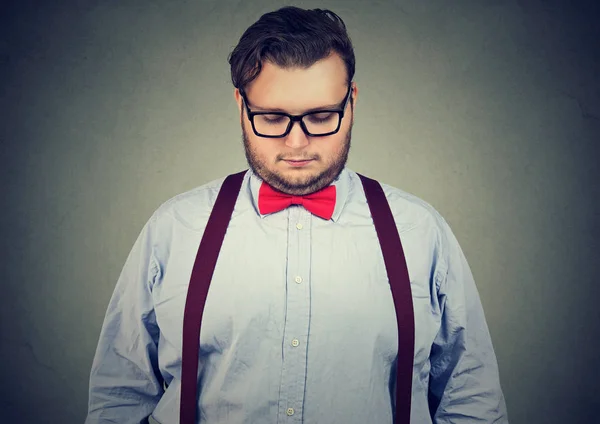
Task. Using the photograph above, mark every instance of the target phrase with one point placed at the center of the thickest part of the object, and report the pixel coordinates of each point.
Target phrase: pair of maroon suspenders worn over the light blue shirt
(204, 266)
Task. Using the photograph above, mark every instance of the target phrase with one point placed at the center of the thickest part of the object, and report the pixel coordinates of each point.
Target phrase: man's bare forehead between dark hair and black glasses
(299, 89)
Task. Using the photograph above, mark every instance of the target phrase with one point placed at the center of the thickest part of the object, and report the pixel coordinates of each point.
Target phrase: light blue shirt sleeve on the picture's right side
(464, 380)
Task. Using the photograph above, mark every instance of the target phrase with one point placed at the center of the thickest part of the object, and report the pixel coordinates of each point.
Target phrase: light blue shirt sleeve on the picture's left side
(125, 382)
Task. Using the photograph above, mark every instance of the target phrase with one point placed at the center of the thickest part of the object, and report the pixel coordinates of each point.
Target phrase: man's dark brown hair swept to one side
(290, 37)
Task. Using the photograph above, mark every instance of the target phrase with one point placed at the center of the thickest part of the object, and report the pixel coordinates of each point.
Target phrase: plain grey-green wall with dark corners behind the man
(489, 110)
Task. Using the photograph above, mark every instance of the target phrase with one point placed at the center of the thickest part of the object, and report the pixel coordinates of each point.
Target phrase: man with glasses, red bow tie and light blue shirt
(299, 325)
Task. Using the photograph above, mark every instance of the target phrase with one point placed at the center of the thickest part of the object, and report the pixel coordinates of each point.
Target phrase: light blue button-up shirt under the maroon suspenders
(299, 324)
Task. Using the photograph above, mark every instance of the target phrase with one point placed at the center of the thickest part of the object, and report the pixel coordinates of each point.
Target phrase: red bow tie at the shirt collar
(320, 203)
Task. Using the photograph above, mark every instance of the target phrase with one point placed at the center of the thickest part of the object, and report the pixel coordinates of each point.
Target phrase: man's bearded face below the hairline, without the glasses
(298, 164)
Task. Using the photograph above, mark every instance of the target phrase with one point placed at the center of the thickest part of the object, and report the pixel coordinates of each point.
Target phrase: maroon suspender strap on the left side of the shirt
(202, 273)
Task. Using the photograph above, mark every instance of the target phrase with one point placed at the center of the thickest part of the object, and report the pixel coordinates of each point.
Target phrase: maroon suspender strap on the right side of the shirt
(395, 264)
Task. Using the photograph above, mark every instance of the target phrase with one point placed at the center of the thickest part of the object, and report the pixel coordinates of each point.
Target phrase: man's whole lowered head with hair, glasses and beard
(295, 61)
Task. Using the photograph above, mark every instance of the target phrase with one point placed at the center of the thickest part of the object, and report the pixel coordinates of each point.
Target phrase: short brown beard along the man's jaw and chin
(312, 184)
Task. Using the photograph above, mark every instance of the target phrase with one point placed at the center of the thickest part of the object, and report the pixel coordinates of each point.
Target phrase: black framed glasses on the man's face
(316, 123)
